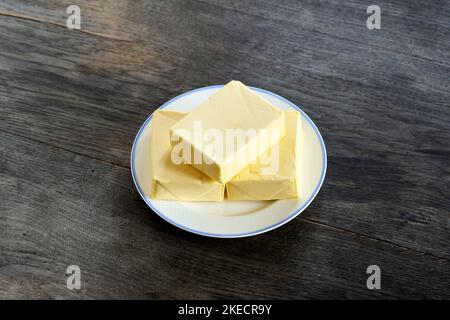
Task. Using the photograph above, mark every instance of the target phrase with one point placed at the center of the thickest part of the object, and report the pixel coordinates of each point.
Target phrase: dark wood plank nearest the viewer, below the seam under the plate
(48, 222)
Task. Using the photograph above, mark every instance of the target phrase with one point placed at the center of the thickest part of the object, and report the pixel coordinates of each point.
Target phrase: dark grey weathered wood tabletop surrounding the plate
(72, 101)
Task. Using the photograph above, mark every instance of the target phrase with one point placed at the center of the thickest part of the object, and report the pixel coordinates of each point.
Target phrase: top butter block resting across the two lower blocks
(234, 109)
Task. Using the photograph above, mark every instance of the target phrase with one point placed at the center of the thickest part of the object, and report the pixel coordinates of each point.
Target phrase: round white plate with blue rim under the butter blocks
(232, 219)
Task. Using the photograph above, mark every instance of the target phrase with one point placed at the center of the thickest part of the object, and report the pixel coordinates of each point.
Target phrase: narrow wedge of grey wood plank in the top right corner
(408, 27)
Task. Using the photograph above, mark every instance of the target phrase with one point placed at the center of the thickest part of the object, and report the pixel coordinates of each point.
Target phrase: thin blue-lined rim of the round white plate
(291, 216)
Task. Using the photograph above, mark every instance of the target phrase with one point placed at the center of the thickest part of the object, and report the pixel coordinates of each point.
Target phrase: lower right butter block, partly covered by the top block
(267, 181)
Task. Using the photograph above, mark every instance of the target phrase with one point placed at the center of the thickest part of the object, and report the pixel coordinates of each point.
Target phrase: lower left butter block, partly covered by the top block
(170, 181)
